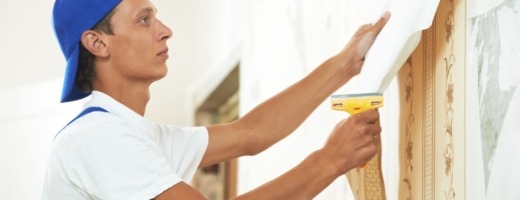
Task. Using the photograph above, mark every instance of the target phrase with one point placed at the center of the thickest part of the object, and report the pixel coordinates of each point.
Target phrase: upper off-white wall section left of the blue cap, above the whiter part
(29, 52)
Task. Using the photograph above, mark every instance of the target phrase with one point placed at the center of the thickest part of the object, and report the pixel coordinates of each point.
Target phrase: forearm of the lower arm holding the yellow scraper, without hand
(305, 181)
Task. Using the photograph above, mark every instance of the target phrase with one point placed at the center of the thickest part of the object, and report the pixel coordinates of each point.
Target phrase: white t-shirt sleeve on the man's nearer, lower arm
(114, 161)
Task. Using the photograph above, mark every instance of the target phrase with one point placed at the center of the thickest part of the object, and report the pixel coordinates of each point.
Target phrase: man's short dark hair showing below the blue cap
(86, 70)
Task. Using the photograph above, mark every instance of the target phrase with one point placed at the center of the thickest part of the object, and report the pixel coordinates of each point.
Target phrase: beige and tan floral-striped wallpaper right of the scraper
(432, 138)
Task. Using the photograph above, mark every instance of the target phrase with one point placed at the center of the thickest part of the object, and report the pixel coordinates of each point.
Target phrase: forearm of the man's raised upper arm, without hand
(279, 116)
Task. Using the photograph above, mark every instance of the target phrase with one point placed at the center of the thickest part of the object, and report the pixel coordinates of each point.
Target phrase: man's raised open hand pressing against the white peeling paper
(353, 55)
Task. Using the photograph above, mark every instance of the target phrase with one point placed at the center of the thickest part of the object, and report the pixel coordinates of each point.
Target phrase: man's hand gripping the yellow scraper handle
(353, 141)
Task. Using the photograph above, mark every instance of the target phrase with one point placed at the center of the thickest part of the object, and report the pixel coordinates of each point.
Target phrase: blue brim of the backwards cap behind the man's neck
(70, 92)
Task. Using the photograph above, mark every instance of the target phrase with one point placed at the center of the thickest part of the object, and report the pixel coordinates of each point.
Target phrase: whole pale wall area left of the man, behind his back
(31, 65)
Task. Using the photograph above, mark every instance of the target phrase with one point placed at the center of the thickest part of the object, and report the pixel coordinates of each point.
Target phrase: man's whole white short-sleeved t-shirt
(120, 155)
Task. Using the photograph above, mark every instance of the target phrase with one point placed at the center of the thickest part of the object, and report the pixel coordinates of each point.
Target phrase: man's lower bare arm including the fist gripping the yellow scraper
(350, 144)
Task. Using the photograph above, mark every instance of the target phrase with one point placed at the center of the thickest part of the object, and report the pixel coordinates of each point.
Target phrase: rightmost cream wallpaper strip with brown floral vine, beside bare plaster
(449, 100)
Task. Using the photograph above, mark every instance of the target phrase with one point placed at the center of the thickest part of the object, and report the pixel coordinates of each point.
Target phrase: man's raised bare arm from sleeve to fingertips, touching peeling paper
(279, 116)
